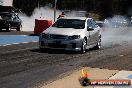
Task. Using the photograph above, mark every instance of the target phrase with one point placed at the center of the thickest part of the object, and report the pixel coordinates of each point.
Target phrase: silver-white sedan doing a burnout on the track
(71, 33)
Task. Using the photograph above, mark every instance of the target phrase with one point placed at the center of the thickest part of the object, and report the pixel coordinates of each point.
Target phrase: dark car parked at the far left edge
(10, 20)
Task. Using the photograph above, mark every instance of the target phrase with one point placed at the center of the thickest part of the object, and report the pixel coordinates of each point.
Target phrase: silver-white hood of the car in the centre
(63, 31)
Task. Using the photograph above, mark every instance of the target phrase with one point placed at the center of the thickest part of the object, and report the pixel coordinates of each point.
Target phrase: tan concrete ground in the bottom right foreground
(71, 81)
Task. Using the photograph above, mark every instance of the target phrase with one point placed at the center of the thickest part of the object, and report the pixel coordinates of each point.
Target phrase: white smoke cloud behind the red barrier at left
(43, 13)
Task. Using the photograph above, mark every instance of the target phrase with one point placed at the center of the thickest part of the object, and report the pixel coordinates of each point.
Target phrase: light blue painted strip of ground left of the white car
(6, 40)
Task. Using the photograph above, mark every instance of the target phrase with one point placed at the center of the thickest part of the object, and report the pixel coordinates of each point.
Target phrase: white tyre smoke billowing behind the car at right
(116, 31)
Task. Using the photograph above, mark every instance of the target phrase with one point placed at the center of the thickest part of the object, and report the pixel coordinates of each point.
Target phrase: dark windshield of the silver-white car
(69, 23)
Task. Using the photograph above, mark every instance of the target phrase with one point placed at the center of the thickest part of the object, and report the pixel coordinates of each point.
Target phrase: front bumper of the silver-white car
(66, 44)
